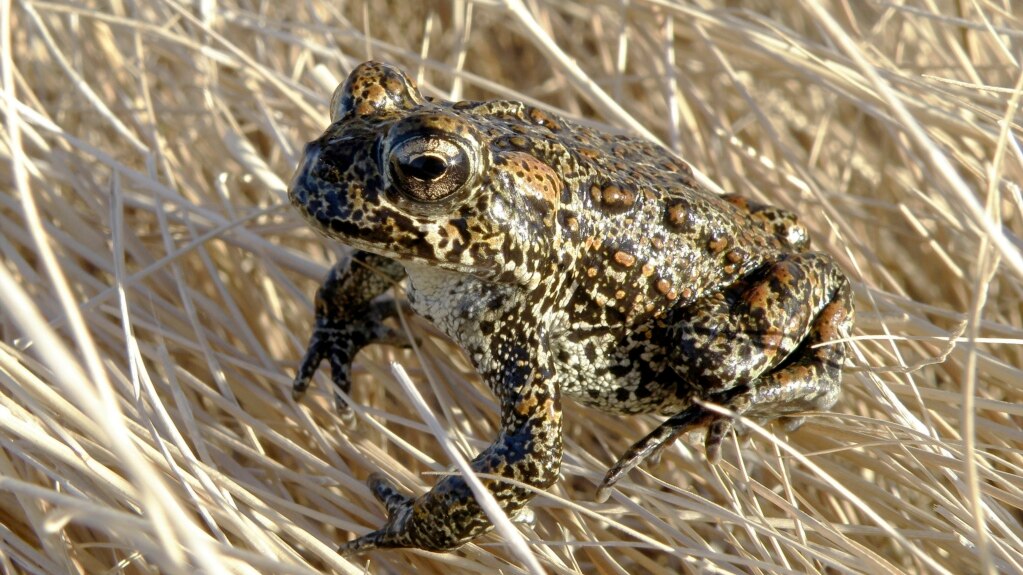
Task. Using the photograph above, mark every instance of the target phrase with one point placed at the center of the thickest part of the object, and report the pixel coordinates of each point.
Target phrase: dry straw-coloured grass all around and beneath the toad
(156, 285)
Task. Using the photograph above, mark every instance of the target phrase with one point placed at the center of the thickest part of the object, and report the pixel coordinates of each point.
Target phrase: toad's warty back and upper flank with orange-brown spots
(640, 236)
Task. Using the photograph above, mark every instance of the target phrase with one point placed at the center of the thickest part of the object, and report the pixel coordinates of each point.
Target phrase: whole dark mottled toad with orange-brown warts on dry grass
(567, 262)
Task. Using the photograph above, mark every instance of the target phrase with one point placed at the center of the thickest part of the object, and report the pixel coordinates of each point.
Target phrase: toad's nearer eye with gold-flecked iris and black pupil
(429, 168)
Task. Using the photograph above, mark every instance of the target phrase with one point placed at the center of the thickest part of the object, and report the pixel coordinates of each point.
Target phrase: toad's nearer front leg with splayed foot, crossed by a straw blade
(528, 452)
